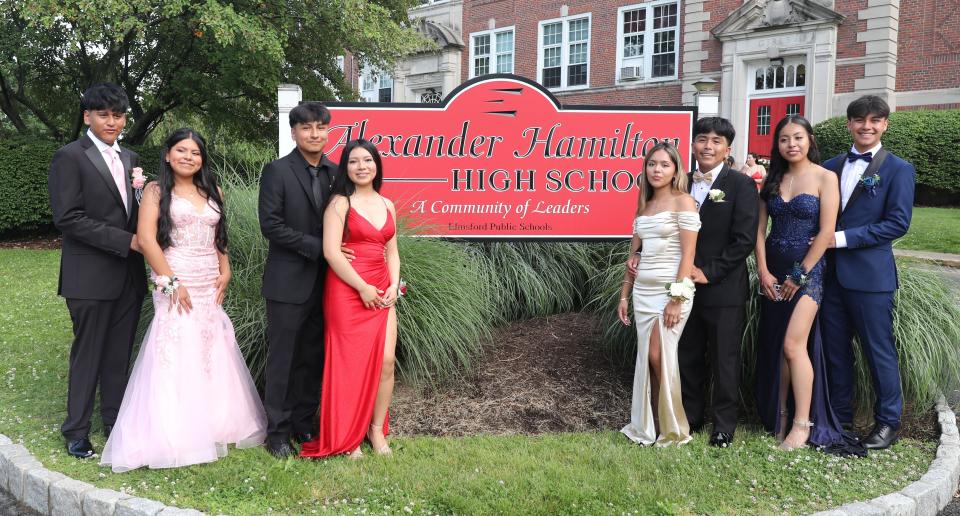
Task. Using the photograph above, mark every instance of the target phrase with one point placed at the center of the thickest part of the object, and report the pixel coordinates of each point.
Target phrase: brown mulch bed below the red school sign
(541, 375)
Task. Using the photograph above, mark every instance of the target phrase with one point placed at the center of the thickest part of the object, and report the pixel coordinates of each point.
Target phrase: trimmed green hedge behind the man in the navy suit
(928, 139)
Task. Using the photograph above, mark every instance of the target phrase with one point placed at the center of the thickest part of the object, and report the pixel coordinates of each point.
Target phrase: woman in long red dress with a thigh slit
(358, 306)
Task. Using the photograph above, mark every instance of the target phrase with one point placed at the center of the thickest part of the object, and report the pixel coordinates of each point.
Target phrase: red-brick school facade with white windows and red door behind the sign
(762, 59)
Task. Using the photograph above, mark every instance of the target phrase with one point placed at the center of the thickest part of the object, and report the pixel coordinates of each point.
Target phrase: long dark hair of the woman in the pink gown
(204, 180)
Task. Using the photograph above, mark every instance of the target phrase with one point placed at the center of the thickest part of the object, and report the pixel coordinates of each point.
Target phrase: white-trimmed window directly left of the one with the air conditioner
(563, 59)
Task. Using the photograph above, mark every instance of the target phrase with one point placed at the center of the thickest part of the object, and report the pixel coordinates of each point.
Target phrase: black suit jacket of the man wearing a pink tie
(96, 261)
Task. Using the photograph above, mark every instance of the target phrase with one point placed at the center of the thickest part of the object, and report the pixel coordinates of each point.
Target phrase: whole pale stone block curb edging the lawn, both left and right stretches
(50, 492)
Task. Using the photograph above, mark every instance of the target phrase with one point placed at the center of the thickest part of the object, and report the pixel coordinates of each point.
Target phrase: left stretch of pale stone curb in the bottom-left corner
(50, 492)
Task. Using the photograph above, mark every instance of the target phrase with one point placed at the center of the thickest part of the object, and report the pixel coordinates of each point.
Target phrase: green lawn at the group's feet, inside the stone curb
(593, 473)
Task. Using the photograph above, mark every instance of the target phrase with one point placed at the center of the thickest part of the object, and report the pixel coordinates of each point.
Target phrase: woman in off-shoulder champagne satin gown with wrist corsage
(664, 233)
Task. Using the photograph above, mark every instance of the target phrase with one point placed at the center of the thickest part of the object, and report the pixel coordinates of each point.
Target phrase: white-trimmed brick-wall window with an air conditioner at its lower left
(647, 41)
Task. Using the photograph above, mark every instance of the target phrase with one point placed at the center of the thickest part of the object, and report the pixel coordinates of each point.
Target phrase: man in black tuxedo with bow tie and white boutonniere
(728, 207)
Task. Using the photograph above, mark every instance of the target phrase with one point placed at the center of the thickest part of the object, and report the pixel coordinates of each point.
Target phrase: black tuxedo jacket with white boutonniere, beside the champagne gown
(727, 236)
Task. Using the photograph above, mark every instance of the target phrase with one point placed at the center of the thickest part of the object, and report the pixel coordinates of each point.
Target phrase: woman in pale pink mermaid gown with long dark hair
(190, 393)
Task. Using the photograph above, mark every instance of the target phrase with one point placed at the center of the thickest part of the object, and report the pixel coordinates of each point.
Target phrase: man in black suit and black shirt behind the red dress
(293, 193)
